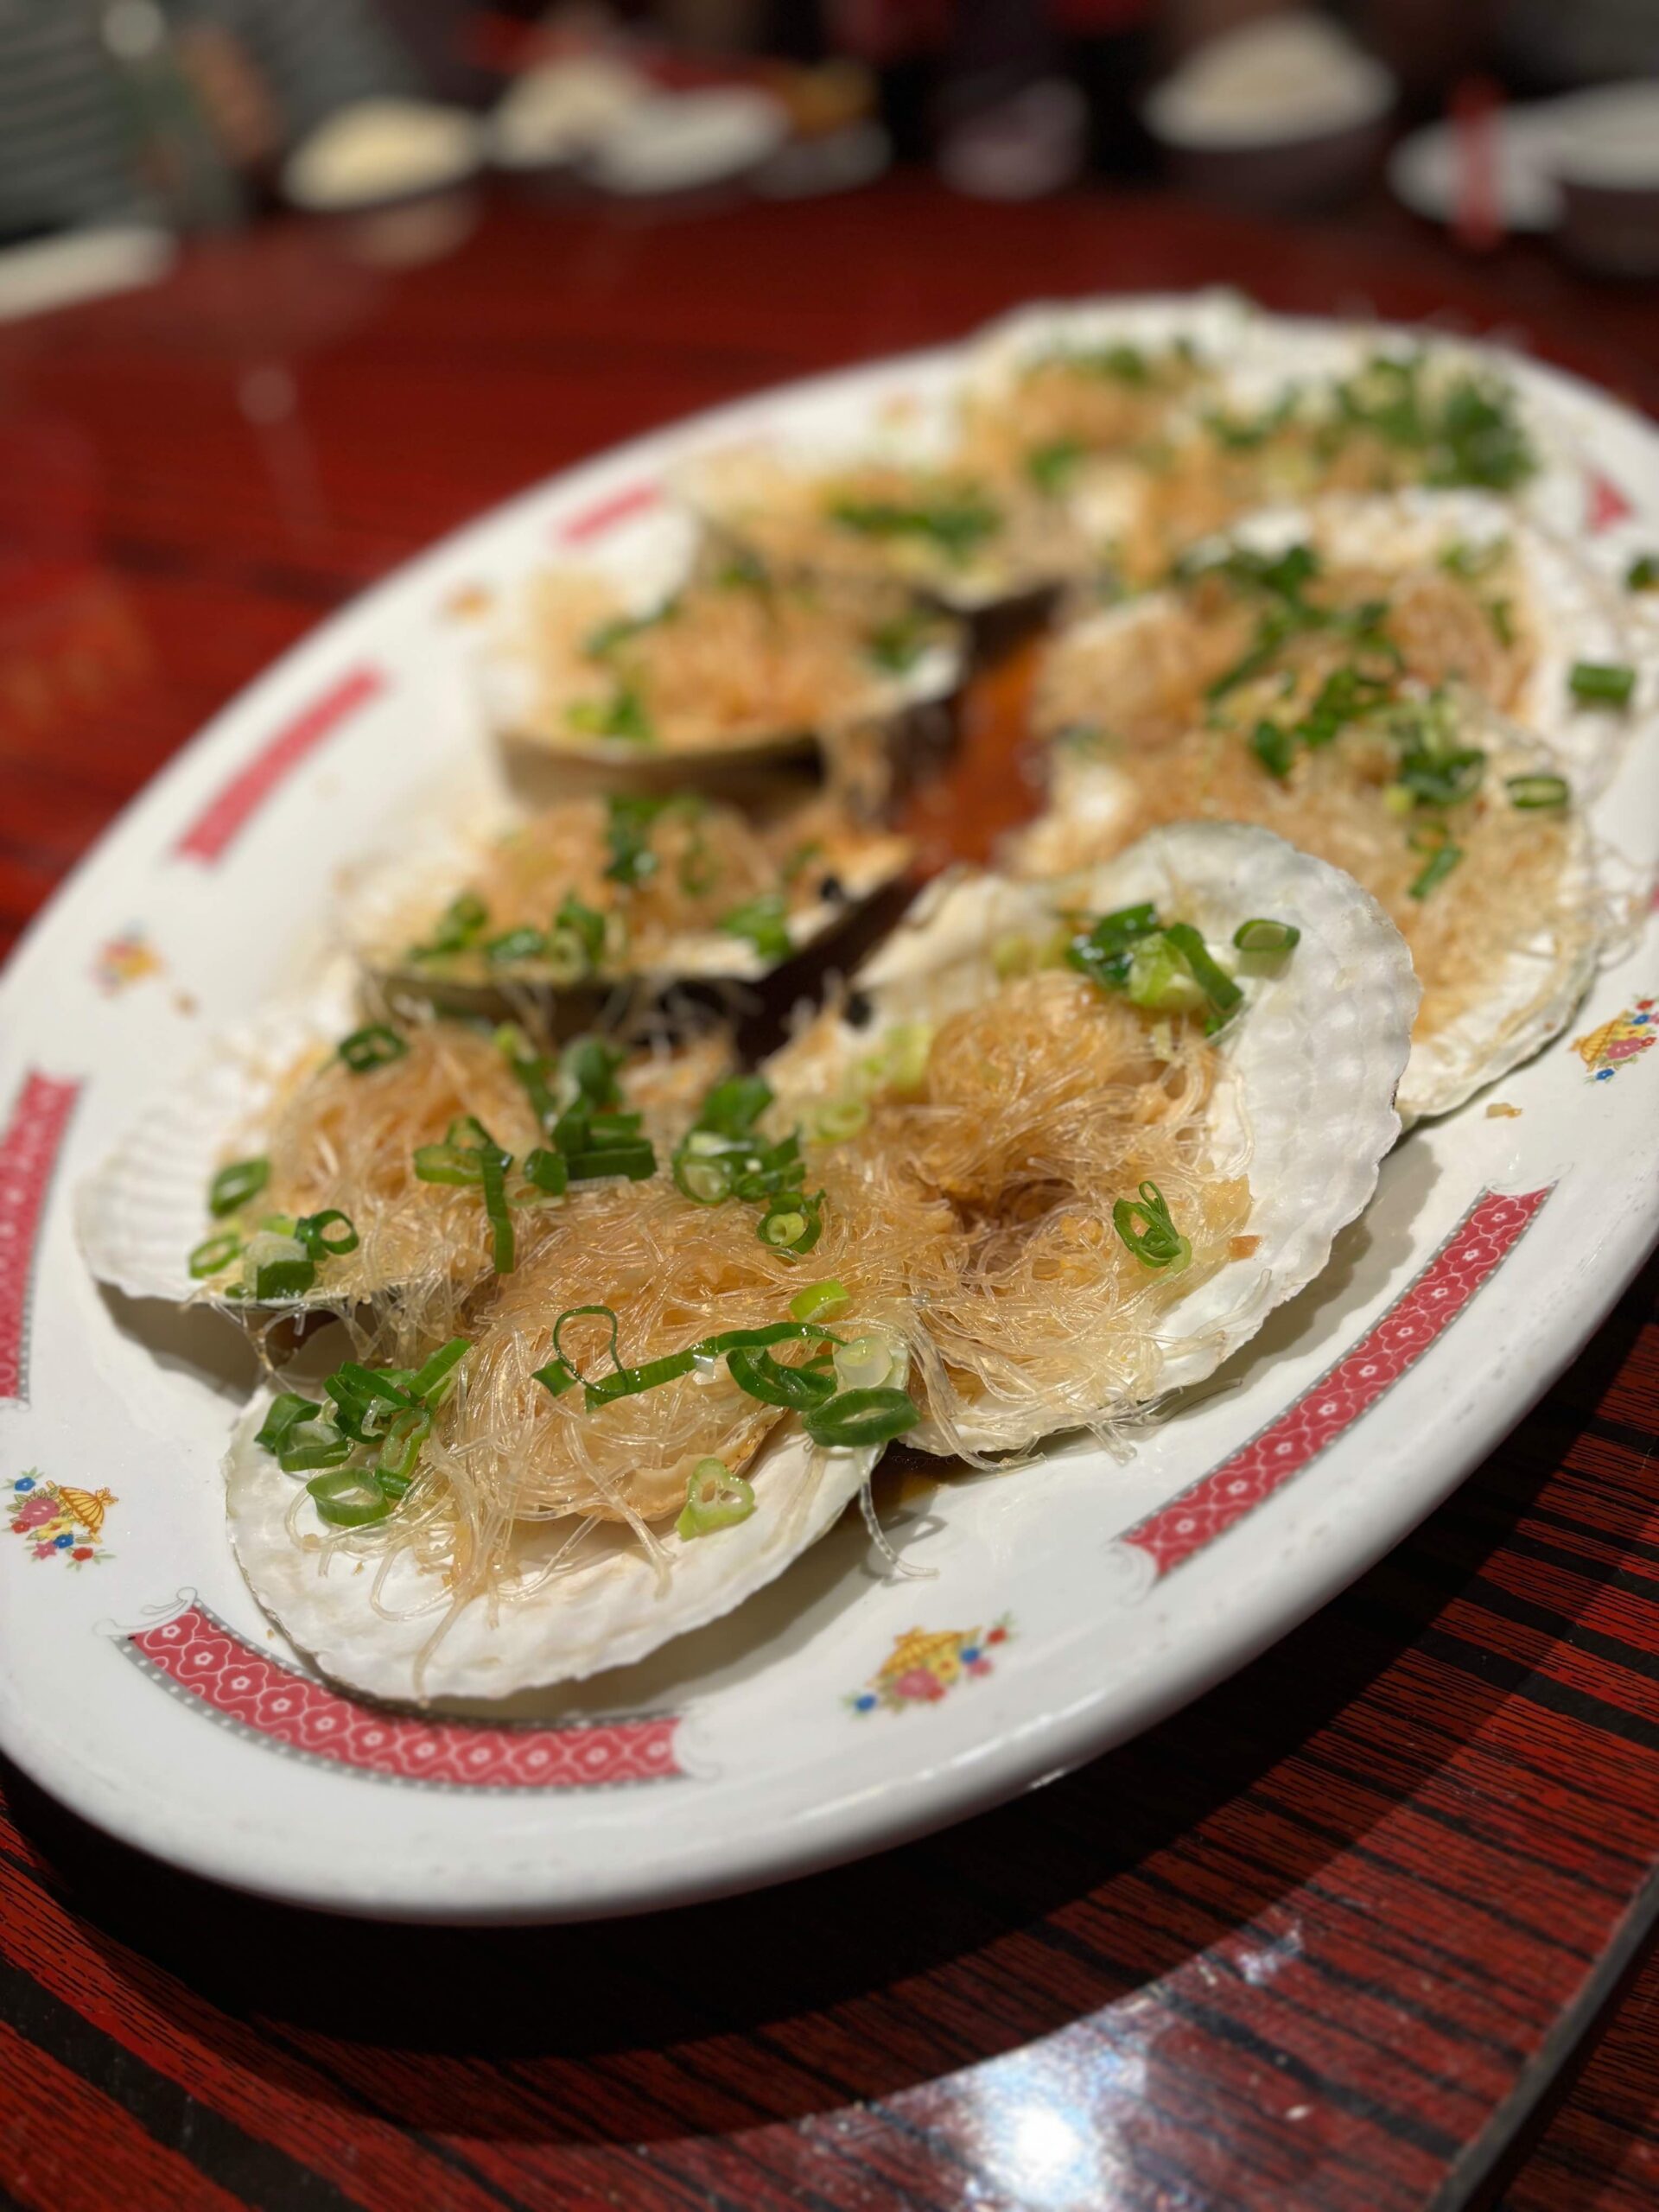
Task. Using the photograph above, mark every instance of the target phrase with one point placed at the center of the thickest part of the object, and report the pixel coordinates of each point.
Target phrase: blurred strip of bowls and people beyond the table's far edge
(209, 114)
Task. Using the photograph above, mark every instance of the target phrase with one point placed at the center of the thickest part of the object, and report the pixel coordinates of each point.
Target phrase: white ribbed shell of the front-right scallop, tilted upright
(1313, 1061)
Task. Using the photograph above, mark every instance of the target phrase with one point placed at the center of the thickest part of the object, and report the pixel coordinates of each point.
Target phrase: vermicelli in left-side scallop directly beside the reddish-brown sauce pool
(727, 662)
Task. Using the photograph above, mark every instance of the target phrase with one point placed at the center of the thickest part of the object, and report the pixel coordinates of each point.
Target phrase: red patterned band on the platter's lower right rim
(1430, 1304)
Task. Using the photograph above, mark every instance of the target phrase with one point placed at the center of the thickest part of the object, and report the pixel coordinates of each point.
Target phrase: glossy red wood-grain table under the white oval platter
(1335, 1939)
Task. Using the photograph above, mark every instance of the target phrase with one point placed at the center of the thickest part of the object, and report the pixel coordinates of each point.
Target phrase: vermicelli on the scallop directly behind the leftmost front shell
(700, 862)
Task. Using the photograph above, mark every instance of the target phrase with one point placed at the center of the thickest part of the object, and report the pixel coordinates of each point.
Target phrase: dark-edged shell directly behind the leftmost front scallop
(406, 897)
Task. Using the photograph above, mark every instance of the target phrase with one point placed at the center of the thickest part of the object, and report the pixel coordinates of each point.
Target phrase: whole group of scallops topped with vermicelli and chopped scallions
(596, 1246)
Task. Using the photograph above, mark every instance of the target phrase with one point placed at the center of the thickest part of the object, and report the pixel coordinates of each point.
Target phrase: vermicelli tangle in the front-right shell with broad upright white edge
(985, 1204)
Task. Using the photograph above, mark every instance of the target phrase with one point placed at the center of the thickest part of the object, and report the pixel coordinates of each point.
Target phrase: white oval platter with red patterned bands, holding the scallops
(1047, 1614)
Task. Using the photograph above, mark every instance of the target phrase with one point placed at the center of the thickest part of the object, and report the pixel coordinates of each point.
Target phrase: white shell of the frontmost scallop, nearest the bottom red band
(605, 1609)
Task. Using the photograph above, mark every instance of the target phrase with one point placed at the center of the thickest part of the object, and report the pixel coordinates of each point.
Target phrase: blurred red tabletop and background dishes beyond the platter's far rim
(293, 286)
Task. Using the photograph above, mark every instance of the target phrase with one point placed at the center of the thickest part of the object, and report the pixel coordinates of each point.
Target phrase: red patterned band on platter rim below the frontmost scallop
(207, 1665)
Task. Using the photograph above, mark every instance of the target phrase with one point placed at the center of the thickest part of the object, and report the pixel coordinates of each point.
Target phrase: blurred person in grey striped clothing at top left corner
(171, 107)
